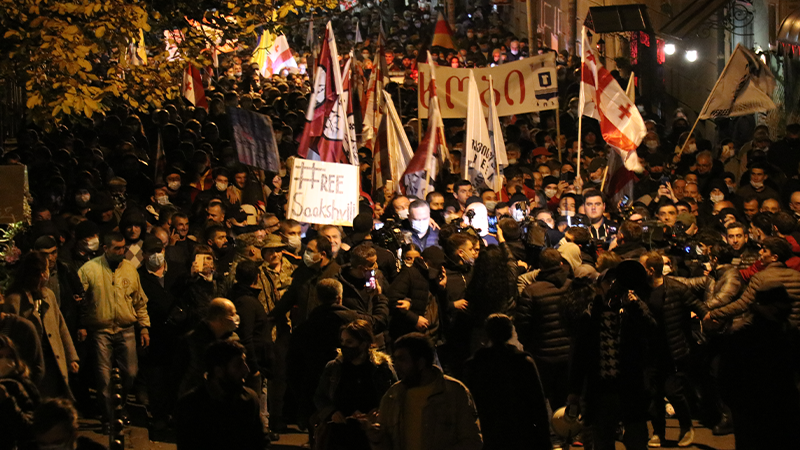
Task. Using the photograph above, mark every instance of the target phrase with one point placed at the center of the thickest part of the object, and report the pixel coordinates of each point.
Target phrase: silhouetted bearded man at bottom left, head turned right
(222, 412)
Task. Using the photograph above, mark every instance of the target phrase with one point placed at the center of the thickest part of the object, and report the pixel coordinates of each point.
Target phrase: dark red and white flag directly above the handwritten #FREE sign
(326, 136)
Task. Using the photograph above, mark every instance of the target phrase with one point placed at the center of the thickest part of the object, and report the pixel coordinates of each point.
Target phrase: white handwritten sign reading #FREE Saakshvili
(323, 193)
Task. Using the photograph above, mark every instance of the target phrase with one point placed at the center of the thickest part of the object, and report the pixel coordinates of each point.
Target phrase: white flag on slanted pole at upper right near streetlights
(744, 87)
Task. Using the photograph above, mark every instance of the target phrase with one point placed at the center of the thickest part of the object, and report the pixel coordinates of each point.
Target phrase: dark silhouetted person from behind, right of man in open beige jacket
(505, 384)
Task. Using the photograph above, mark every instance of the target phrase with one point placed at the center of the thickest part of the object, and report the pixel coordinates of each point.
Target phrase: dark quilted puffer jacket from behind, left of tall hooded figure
(539, 316)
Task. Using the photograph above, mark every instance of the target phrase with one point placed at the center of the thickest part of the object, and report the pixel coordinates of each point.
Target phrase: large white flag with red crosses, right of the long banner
(605, 100)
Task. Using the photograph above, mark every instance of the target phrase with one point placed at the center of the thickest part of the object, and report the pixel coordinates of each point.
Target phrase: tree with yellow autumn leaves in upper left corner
(81, 57)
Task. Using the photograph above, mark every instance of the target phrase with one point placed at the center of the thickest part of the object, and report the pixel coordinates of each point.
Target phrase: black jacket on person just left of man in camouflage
(254, 331)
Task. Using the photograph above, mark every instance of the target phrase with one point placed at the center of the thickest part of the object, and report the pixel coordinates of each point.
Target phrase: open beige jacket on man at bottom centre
(449, 417)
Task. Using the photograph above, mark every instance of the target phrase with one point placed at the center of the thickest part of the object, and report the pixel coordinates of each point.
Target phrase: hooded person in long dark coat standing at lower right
(608, 359)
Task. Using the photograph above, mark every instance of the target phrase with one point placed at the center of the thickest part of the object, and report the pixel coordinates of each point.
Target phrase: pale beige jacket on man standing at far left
(116, 299)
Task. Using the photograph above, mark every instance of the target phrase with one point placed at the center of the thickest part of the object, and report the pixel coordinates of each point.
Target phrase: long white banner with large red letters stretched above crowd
(520, 87)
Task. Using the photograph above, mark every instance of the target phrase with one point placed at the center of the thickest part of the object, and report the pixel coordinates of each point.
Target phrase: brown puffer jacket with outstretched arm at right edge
(738, 312)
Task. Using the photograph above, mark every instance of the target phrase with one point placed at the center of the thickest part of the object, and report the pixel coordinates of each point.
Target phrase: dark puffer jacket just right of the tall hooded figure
(678, 303)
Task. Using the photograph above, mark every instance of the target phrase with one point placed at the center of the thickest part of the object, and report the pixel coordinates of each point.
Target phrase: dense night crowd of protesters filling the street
(464, 319)
